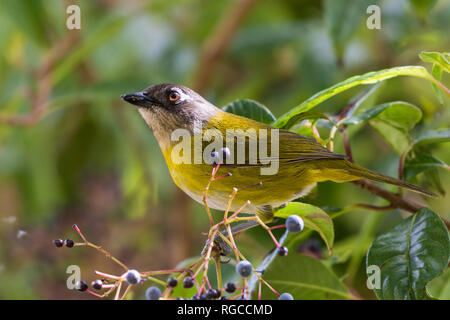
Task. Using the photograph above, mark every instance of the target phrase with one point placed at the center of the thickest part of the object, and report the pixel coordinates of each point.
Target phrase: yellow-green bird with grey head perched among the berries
(301, 162)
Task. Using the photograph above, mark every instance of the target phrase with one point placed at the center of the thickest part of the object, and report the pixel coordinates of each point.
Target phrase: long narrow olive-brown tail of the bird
(358, 171)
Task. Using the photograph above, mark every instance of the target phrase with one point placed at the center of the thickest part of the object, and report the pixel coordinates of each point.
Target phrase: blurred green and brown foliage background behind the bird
(83, 156)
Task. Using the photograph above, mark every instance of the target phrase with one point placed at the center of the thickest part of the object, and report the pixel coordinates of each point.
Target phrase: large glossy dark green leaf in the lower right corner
(410, 255)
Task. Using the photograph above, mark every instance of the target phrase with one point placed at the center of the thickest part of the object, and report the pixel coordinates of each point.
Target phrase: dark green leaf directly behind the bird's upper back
(250, 109)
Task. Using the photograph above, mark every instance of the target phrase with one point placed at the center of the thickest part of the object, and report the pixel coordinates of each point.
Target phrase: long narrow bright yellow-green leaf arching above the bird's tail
(367, 78)
